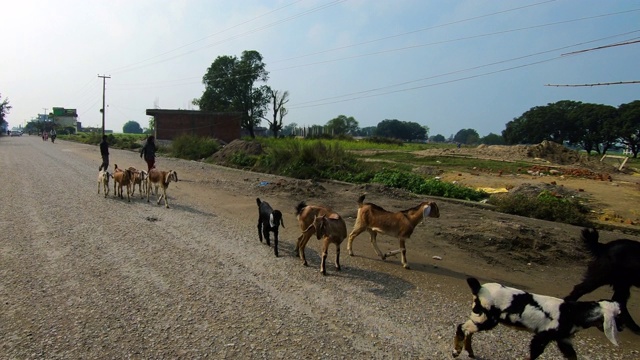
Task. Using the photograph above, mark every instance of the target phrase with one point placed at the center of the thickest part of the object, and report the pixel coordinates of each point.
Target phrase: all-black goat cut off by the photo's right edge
(617, 264)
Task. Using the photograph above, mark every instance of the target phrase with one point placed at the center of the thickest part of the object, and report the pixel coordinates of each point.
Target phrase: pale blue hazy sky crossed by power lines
(445, 64)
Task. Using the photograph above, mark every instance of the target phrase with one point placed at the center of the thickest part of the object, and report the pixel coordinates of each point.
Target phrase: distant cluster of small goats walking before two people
(145, 180)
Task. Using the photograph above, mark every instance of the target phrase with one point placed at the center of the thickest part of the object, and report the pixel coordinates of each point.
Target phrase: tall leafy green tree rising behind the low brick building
(230, 86)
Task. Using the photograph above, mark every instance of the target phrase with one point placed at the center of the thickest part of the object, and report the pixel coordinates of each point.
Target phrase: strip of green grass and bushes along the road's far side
(376, 162)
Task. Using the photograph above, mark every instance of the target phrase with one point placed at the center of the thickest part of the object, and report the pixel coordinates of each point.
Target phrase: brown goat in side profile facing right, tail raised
(375, 219)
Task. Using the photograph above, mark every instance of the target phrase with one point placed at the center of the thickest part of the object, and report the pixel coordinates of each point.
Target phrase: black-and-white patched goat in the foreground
(549, 318)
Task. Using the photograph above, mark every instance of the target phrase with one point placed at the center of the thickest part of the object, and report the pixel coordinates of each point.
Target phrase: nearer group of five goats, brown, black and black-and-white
(616, 263)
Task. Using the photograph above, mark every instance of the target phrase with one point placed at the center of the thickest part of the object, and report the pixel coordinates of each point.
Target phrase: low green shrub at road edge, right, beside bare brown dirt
(545, 206)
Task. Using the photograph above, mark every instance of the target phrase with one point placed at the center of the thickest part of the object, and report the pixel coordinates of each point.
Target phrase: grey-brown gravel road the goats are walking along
(84, 277)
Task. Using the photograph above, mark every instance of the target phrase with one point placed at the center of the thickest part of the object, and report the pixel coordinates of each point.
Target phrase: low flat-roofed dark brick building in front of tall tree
(170, 124)
